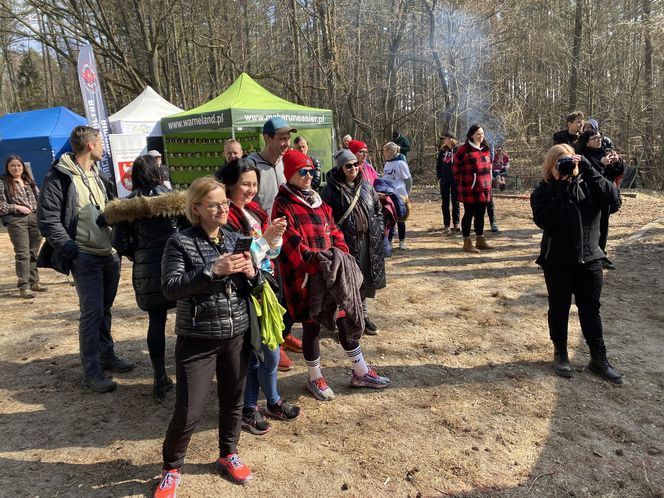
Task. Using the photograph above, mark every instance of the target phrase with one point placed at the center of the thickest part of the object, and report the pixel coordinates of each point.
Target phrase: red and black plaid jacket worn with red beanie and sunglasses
(310, 229)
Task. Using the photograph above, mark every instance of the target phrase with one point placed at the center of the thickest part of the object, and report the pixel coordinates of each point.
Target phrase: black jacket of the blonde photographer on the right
(569, 214)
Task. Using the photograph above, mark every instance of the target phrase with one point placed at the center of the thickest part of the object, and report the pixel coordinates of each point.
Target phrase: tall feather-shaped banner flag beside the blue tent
(93, 101)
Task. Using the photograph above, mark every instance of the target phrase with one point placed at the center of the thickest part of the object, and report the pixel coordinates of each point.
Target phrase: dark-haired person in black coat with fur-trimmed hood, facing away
(142, 223)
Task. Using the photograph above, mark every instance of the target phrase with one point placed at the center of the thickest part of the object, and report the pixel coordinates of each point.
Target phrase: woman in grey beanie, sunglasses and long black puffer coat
(357, 212)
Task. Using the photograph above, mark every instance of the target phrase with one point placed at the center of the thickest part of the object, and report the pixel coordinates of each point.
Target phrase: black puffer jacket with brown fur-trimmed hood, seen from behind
(142, 224)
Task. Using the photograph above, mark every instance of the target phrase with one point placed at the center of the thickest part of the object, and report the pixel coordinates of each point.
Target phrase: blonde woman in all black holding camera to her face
(567, 205)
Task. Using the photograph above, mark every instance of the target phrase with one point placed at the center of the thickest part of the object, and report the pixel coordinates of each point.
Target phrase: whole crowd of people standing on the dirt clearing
(268, 242)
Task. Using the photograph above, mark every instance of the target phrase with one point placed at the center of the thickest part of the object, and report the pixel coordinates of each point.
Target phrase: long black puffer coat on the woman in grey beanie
(339, 198)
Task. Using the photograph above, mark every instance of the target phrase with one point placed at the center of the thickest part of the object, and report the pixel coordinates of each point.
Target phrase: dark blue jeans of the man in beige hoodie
(96, 279)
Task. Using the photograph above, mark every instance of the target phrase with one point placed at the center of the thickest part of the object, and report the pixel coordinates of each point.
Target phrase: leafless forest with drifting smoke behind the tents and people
(419, 66)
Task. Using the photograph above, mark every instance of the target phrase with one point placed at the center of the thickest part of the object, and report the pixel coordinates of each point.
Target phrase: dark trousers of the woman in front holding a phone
(196, 362)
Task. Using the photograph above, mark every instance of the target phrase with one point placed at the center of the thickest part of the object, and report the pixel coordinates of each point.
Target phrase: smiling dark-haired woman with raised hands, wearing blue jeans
(241, 179)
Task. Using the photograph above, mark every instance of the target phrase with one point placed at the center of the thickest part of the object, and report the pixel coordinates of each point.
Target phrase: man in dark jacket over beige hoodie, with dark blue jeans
(70, 217)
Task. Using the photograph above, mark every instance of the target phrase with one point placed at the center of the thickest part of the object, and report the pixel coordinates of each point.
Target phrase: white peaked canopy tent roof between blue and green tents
(142, 116)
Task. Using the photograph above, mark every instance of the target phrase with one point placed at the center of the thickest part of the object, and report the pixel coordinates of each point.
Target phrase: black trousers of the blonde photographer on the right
(584, 282)
